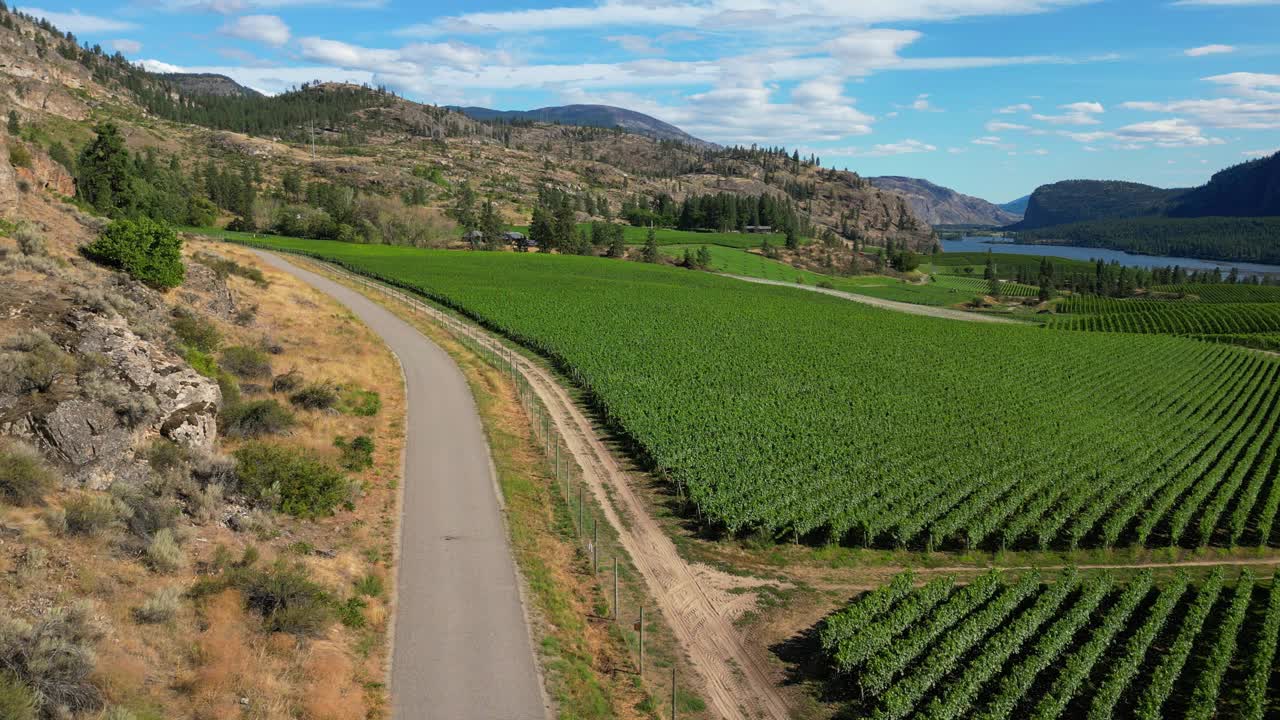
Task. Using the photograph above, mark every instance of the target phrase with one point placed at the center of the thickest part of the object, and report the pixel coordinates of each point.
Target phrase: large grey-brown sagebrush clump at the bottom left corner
(54, 659)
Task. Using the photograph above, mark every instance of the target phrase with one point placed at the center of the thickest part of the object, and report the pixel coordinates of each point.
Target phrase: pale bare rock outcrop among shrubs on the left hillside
(188, 402)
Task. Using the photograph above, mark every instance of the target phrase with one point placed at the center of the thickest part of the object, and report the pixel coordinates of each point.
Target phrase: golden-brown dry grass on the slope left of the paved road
(211, 655)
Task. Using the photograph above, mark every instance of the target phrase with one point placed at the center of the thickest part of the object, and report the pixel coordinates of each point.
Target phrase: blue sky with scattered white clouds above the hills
(991, 98)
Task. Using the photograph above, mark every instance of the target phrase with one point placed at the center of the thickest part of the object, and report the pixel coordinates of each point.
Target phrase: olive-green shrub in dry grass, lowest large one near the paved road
(286, 598)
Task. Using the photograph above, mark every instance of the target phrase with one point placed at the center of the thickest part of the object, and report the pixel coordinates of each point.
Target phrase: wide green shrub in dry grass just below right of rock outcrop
(291, 482)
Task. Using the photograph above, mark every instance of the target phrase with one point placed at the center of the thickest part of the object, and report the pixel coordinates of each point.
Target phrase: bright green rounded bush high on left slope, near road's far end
(149, 252)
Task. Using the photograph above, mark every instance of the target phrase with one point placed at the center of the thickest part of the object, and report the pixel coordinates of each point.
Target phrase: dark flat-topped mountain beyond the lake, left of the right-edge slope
(1077, 202)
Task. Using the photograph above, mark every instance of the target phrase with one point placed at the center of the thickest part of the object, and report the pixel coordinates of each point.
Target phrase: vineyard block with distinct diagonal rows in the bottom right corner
(1076, 648)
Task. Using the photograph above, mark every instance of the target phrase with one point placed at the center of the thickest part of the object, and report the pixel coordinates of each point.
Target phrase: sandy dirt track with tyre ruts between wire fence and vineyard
(737, 680)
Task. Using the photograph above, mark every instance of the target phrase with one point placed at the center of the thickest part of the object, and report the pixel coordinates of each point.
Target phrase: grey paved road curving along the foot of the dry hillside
(461, 641)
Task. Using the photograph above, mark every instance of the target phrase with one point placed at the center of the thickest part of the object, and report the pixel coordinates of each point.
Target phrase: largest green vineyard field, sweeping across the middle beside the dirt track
(804, 416)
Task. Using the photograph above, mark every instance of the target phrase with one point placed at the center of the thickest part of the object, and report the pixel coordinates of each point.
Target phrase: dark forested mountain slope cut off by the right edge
(1249, 190)
